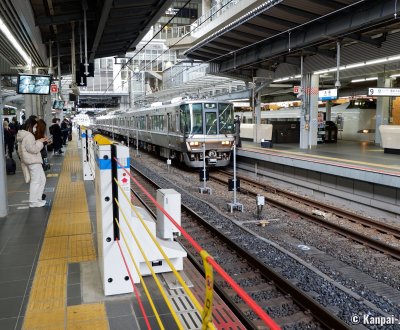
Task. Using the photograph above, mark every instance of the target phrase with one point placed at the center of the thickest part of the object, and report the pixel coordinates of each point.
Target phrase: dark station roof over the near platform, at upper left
(113, 28)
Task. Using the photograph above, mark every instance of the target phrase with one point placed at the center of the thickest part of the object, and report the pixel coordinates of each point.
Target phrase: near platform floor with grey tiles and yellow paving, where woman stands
(49, 274)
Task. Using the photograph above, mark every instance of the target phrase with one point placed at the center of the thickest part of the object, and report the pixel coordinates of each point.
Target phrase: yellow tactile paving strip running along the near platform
(68, 238)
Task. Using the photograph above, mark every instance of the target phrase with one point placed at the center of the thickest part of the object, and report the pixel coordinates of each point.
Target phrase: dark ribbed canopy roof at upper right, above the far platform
(276, 31)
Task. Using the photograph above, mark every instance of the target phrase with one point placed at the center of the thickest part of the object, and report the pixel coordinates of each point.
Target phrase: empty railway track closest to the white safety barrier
(286, 303)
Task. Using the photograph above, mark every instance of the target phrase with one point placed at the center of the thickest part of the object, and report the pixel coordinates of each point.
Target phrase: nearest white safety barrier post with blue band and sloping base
(113, 271)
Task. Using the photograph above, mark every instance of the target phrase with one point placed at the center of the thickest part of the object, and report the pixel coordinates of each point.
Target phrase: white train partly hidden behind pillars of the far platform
(353, 119)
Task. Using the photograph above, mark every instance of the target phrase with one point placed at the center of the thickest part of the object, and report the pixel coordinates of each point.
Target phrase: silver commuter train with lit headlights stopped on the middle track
(178, 130)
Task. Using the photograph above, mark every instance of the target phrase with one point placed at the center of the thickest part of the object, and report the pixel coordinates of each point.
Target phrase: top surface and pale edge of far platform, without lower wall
(362, 161)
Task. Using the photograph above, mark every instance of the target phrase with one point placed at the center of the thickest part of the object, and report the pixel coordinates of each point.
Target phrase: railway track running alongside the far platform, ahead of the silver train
(250, 186)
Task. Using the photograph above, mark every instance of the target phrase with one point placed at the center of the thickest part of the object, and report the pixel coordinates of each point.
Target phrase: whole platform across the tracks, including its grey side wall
(357, 171)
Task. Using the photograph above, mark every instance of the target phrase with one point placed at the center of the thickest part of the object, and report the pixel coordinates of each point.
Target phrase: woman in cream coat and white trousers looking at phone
(29, 152)
